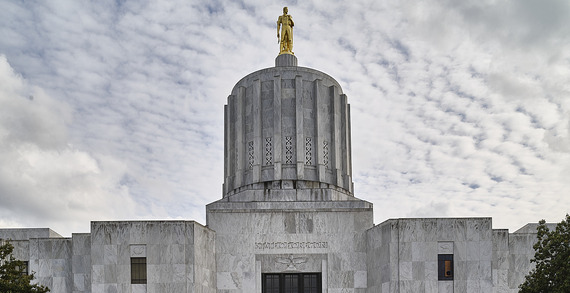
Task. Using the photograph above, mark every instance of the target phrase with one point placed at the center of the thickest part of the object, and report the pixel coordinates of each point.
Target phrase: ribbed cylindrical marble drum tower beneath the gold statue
(287, 127)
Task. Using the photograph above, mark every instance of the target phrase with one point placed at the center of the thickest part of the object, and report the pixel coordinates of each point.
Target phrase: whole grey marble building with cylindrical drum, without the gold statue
(287, 207)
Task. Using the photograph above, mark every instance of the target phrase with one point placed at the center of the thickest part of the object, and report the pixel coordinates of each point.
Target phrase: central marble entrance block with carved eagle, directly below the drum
(268, 237)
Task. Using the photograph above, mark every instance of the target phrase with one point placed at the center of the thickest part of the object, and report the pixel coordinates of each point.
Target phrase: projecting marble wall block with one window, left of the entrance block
(176, 251)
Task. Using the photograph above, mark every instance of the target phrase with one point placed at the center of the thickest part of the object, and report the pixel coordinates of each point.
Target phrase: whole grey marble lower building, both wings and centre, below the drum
(335, 238)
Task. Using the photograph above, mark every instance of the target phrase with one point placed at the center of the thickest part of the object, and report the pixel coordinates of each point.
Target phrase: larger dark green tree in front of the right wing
(552, 258)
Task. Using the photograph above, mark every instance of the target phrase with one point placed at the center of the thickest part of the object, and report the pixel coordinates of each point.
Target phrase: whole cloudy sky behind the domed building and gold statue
(113, 110)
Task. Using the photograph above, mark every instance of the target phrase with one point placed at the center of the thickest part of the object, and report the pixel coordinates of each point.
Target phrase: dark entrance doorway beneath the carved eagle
(291, 283)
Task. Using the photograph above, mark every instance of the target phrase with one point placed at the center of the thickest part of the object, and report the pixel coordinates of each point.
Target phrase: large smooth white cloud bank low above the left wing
(43, 179)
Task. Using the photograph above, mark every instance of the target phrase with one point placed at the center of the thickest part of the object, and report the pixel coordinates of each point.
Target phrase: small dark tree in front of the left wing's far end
(12, 277)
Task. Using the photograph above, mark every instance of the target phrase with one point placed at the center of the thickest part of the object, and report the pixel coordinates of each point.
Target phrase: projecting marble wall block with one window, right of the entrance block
(412, 245)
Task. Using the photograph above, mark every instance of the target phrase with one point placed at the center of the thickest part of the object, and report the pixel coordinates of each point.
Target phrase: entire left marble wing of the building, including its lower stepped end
(180, 257)
